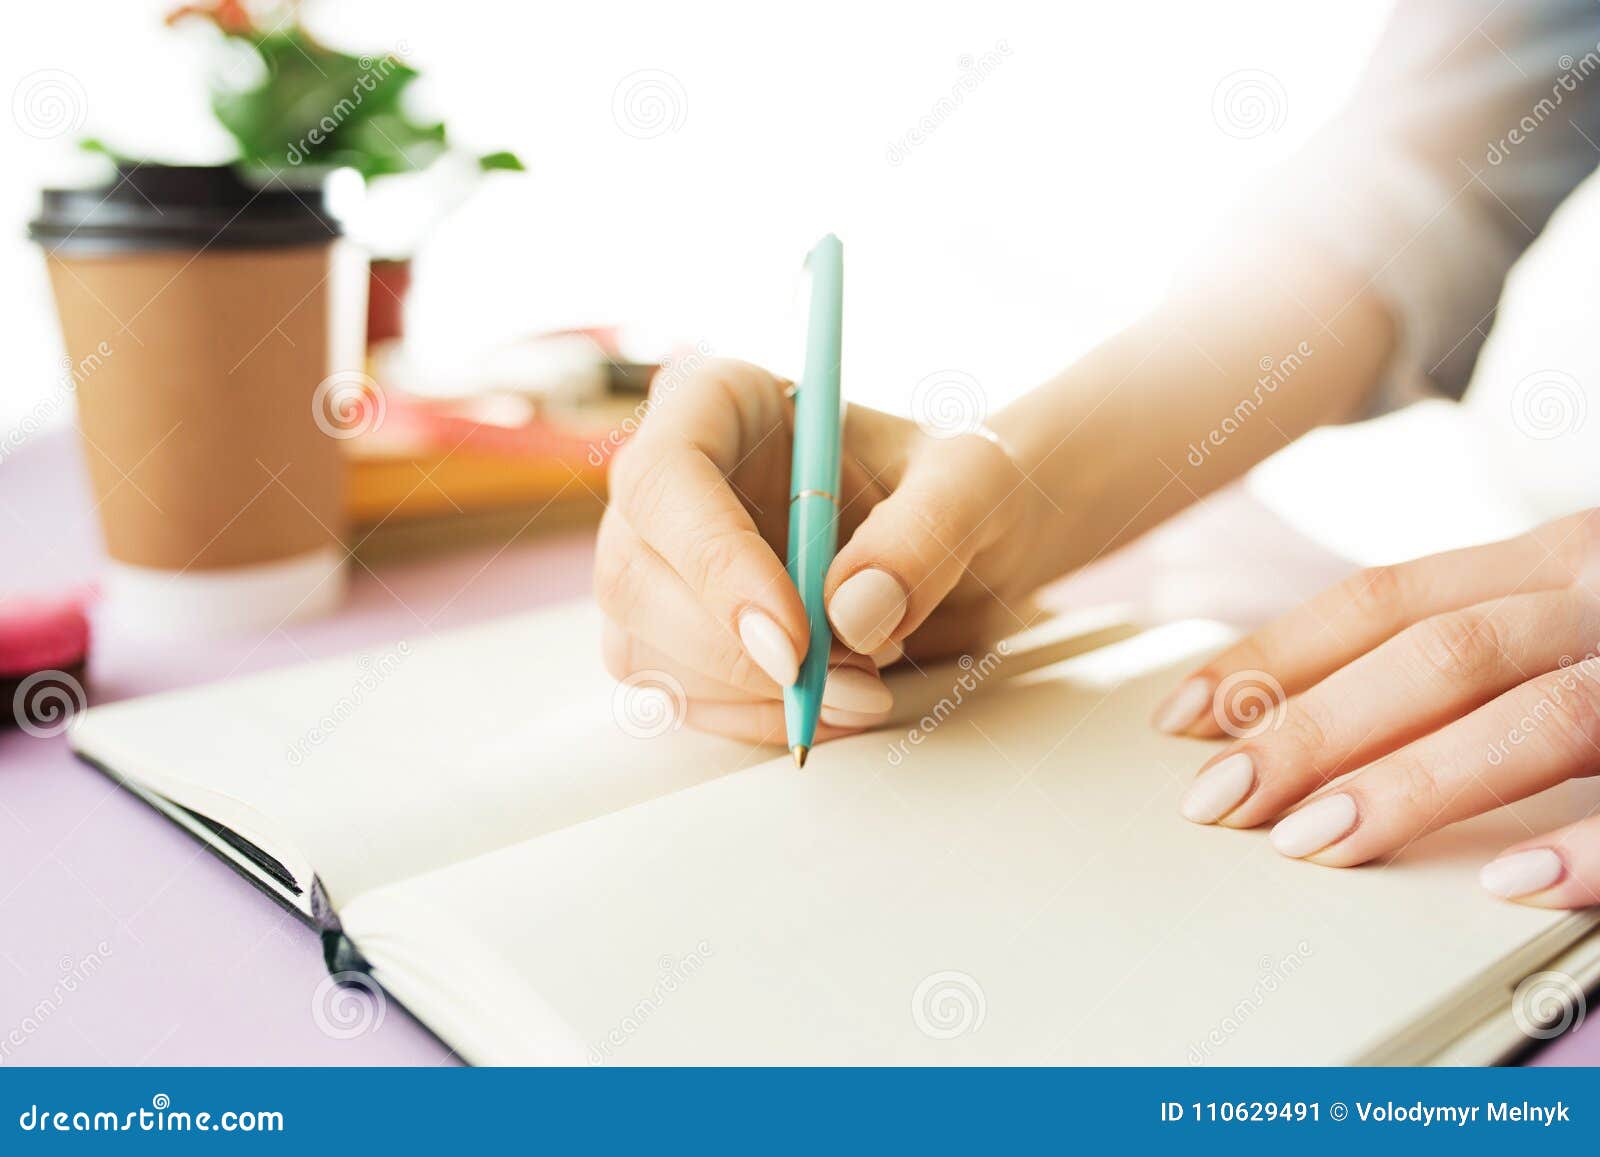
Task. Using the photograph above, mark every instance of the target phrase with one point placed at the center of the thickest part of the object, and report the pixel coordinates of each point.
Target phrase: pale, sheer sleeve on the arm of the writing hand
(1471, 124)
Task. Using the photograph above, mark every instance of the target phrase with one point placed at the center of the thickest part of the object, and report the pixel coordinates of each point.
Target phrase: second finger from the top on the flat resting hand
(1425, 678)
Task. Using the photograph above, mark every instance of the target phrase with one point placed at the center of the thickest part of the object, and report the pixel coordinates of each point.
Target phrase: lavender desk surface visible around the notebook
(191, 964)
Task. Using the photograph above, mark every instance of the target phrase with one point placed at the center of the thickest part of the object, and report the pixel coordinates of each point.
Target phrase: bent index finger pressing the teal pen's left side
(671, 486)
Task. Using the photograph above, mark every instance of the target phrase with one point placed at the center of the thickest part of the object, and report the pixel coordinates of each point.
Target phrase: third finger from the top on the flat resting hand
(1532, 739)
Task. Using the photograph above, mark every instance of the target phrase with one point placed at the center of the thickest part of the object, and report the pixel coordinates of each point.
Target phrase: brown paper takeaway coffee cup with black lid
(196, 314)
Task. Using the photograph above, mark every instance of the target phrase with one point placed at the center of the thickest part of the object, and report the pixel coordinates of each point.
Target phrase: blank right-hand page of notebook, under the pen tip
(1017, 887)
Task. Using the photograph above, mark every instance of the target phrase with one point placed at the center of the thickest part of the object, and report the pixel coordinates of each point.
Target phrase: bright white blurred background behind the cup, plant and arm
(1014, 182)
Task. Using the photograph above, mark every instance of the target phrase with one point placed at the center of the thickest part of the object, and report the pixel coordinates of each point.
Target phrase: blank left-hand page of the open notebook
(410, 756)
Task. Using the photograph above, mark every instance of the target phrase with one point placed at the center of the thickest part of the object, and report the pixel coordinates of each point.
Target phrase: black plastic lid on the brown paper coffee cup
(180, 207)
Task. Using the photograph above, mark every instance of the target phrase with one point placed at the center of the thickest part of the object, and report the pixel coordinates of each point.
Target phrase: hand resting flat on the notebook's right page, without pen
(1449, 686)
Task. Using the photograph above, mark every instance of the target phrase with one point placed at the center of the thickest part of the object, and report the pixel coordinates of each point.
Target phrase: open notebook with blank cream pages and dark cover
(542, 868)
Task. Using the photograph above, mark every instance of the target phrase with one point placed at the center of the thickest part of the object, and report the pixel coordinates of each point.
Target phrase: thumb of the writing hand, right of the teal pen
(954, 500)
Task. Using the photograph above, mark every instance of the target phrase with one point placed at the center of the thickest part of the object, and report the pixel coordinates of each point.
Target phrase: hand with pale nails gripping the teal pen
(690, 559)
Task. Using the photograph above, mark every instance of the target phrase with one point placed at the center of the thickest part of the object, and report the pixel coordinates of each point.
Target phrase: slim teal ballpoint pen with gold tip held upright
(814, 487)
